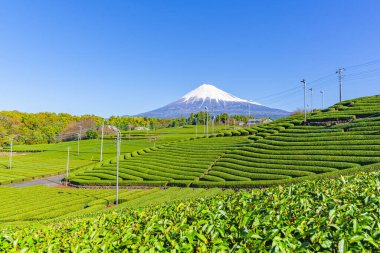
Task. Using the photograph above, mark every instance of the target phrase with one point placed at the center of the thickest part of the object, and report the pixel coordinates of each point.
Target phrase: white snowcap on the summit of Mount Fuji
(210, 92)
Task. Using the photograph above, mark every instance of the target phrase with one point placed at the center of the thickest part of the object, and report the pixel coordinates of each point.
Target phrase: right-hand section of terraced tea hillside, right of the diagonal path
(298, 151)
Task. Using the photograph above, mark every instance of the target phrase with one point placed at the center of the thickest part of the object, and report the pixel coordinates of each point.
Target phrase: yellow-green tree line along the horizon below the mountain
(46, 127)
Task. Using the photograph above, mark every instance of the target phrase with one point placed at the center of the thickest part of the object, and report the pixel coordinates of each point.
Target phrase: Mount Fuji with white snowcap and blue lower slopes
(217, 102)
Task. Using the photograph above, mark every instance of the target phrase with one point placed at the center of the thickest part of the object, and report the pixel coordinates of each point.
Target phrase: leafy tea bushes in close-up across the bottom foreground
(326, 215)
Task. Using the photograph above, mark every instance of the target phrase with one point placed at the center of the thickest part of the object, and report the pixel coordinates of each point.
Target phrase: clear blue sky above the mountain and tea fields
(126, 57)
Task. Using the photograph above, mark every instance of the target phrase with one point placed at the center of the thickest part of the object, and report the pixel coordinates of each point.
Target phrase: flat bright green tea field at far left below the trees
(51, 159)
